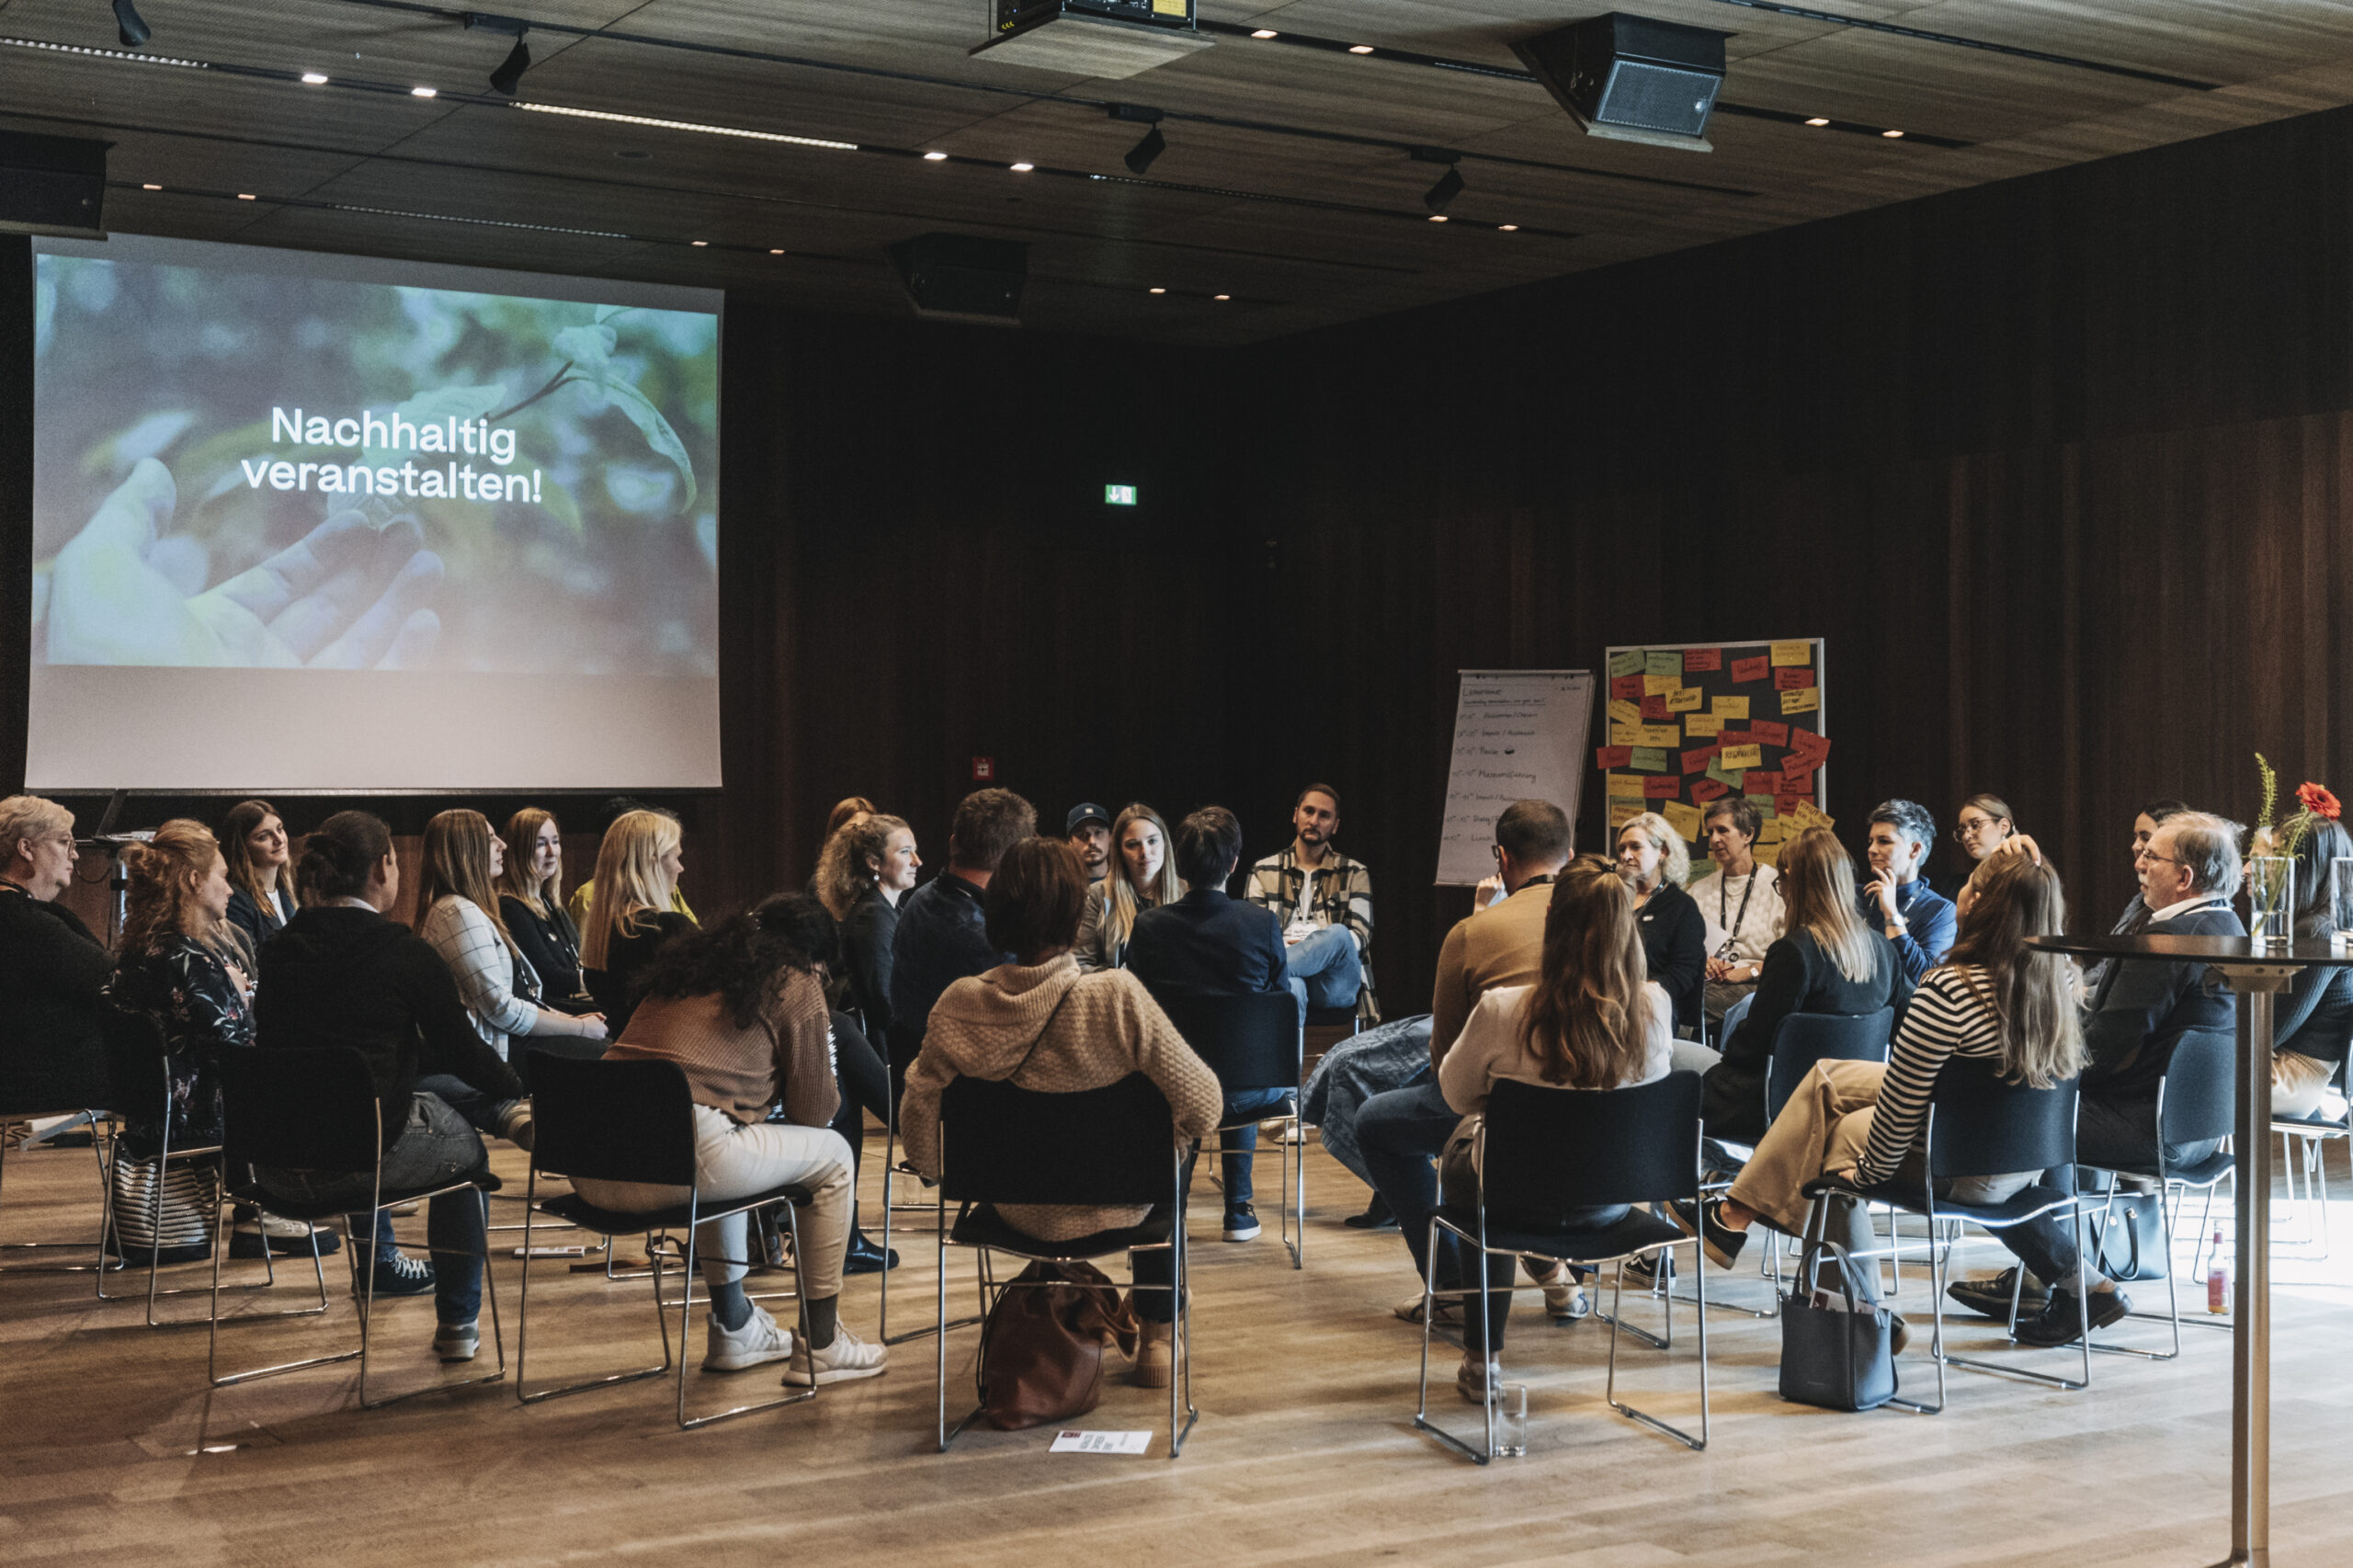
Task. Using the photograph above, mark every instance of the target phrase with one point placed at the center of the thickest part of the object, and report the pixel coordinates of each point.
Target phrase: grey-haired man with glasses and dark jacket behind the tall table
(2131, 1028)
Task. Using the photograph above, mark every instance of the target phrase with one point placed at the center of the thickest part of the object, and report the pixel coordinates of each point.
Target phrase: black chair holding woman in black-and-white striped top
(1980, 1127)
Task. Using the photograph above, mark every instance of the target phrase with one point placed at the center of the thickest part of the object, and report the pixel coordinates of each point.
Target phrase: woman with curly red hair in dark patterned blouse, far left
(180, 966)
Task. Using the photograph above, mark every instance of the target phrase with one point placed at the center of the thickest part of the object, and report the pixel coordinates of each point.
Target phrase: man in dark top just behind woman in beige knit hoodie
(942, 934)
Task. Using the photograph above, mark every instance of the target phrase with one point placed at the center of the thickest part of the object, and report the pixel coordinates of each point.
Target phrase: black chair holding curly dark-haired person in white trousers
(632, 1122)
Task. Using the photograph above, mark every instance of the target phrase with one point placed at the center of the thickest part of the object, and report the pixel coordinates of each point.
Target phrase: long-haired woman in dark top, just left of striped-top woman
(1829, 962)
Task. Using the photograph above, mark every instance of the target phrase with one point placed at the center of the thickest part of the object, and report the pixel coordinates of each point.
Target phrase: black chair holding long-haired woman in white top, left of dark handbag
(1549, 1152)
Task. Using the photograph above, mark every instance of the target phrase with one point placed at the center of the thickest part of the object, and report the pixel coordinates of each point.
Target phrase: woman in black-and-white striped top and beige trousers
(1867, 1122)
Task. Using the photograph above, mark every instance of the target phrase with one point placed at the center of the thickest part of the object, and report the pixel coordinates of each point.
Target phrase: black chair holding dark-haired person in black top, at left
(316, 1110)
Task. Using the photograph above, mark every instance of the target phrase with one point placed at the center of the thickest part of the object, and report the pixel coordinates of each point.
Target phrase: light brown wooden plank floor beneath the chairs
(1305, 1449)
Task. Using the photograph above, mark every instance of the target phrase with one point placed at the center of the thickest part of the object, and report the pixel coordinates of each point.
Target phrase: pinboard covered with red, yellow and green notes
(1688, 724)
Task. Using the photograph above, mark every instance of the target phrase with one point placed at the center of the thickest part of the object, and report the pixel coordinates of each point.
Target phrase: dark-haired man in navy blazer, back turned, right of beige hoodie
(1213, 945)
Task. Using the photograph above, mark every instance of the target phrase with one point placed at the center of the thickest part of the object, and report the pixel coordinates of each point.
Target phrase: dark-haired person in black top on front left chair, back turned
(345, 976)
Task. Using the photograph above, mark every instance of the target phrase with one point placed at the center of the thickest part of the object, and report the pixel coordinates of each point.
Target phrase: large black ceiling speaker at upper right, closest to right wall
(1632, 79)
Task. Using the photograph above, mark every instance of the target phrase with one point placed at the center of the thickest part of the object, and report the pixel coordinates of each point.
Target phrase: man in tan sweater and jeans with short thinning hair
(1498, 948)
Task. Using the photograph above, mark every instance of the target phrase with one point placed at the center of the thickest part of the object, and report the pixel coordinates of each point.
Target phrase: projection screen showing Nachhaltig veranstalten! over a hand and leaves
(328, 524)
